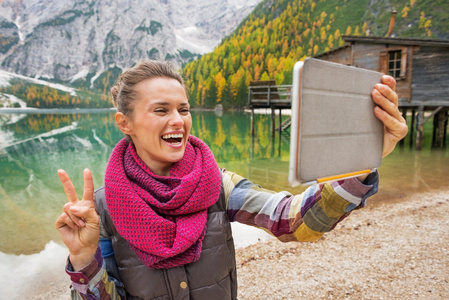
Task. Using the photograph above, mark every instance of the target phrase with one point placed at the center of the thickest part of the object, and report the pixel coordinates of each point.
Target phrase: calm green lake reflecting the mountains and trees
(34, 146)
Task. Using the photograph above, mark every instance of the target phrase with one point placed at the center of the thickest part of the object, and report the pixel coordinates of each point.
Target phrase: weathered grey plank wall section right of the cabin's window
(430, 74)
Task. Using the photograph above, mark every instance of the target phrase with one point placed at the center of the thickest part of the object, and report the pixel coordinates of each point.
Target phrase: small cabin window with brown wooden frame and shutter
(394, 62)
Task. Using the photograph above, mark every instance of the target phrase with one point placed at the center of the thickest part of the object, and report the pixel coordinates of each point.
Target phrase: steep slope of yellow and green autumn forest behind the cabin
(267, 43)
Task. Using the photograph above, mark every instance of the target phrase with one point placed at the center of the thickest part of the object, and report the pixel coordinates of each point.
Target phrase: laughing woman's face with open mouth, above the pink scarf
(160, 123)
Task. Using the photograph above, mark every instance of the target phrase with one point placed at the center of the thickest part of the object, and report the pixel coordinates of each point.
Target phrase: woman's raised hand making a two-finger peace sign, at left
(79, 223)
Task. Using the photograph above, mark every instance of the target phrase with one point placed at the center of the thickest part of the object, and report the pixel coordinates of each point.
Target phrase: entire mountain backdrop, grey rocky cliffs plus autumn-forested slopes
(87, 43)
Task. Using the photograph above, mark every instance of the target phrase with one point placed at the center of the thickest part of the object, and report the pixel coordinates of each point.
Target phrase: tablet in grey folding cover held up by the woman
(334, 133)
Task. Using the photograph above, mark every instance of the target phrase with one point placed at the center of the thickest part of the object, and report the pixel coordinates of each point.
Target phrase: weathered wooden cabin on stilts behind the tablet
(421, 69)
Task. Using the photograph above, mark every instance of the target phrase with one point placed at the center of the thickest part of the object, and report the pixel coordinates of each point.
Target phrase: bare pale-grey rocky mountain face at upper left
(78, 40)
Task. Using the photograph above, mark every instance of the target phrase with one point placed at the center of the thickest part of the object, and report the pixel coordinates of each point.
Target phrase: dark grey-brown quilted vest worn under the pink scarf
(213, 276)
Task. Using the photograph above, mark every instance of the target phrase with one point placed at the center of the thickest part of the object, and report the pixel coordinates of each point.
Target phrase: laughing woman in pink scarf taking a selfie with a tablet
(163, 225)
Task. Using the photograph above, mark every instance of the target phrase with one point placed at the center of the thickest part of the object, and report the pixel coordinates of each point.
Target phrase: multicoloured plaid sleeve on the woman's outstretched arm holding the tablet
(303, 217)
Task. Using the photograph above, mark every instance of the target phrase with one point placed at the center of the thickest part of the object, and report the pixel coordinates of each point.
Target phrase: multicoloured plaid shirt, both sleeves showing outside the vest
(303, 217)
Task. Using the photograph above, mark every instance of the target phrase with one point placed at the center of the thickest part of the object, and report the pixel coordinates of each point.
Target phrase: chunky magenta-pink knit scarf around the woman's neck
(162, 217)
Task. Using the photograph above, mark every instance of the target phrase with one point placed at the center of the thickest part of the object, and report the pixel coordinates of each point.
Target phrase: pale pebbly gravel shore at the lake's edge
(385, 251)
